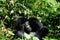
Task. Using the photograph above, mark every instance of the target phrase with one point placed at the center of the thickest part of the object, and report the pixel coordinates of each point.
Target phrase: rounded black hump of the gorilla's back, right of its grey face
(35, 24)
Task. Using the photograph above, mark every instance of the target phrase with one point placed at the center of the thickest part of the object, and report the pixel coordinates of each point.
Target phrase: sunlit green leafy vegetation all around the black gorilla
(47, 11)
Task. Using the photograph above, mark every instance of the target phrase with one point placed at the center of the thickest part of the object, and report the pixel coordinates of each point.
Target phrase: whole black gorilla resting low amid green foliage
(30, 26)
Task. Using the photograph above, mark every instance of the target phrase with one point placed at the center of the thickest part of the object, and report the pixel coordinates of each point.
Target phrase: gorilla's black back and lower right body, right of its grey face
(38, 29)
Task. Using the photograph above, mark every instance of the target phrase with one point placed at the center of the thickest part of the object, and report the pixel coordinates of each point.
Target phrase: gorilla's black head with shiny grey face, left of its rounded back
(23, 24)
